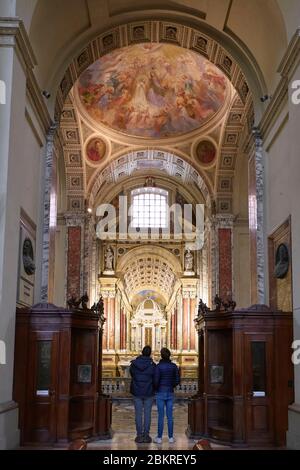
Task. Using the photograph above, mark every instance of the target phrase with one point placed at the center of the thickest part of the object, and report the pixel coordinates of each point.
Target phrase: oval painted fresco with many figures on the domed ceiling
(152, 90)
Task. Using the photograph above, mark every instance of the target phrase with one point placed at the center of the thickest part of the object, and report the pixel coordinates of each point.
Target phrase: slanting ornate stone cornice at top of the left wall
(13, 34)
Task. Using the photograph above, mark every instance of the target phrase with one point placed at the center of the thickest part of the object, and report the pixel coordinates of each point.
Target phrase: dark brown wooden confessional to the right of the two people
(245, 381)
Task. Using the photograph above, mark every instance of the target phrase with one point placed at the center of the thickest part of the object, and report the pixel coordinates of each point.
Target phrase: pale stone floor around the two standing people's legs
(124, 431)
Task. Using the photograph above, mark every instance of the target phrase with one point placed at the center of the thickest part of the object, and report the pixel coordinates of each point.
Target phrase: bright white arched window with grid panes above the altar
(149, 208)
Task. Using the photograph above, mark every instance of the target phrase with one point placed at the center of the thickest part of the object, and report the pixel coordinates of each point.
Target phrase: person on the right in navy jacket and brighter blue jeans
(166, 379)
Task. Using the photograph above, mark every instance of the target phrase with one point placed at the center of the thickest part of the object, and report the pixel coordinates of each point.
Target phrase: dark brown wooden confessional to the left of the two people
(57, 376)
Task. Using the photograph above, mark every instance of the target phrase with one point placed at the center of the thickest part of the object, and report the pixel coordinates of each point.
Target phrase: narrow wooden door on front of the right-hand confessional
(259, 388)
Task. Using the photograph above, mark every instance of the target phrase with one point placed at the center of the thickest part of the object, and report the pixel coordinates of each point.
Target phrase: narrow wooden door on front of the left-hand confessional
(42, 390)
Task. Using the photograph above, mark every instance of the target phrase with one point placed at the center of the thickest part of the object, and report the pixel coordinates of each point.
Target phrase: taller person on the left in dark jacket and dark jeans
(142, 388)
